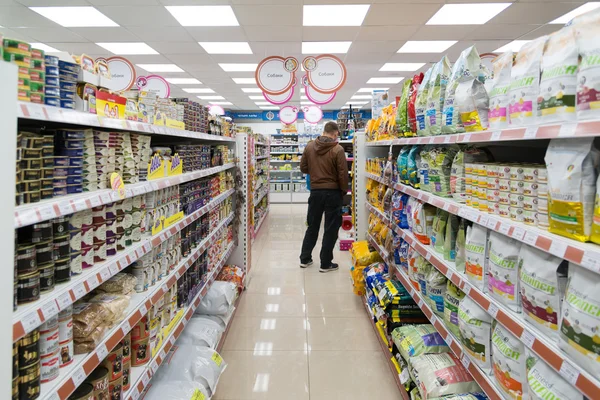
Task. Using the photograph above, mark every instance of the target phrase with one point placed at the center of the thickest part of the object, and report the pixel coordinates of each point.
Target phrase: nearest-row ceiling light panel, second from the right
(467, 14)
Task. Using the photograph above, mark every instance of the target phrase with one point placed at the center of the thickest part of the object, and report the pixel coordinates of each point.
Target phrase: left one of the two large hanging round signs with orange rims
(275, 75)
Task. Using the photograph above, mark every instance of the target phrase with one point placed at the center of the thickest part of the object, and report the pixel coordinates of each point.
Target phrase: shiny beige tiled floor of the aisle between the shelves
(300, 334)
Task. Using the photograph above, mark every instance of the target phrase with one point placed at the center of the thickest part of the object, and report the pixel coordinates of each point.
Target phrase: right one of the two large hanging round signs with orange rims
(328, 76)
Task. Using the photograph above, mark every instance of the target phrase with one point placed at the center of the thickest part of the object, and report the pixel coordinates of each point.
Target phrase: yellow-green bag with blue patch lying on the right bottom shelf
(414, 340)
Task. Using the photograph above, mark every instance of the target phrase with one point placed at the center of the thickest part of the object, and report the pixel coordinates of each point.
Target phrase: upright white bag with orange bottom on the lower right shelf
(509, 362)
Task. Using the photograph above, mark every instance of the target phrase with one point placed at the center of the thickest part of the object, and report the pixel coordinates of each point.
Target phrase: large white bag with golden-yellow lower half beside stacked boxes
(572, 167)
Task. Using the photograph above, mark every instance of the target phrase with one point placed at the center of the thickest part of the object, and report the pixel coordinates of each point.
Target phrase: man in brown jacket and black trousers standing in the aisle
(325, 161)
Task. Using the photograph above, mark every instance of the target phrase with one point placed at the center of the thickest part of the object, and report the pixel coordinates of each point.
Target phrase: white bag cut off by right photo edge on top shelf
(587, 31)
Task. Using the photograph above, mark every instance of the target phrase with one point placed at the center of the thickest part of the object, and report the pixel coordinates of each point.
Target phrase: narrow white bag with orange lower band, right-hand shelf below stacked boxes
(476, 253)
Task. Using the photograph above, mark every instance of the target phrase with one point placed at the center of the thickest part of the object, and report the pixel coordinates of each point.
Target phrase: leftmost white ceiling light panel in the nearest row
(75, 17)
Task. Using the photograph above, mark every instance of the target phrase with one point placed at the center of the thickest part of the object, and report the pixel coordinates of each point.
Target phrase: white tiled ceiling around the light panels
(275, 27)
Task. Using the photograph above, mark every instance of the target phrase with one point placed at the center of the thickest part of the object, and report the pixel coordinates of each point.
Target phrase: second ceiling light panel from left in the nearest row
(203, 15)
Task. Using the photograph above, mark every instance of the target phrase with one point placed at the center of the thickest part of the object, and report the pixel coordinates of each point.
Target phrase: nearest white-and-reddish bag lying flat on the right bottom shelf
(437, 375)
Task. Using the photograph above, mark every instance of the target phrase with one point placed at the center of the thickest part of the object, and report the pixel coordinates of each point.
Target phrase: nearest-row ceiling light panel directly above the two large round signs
(345, 15)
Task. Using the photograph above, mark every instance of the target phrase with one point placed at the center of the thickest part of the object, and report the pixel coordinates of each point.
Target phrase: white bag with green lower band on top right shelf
(558, 84)
